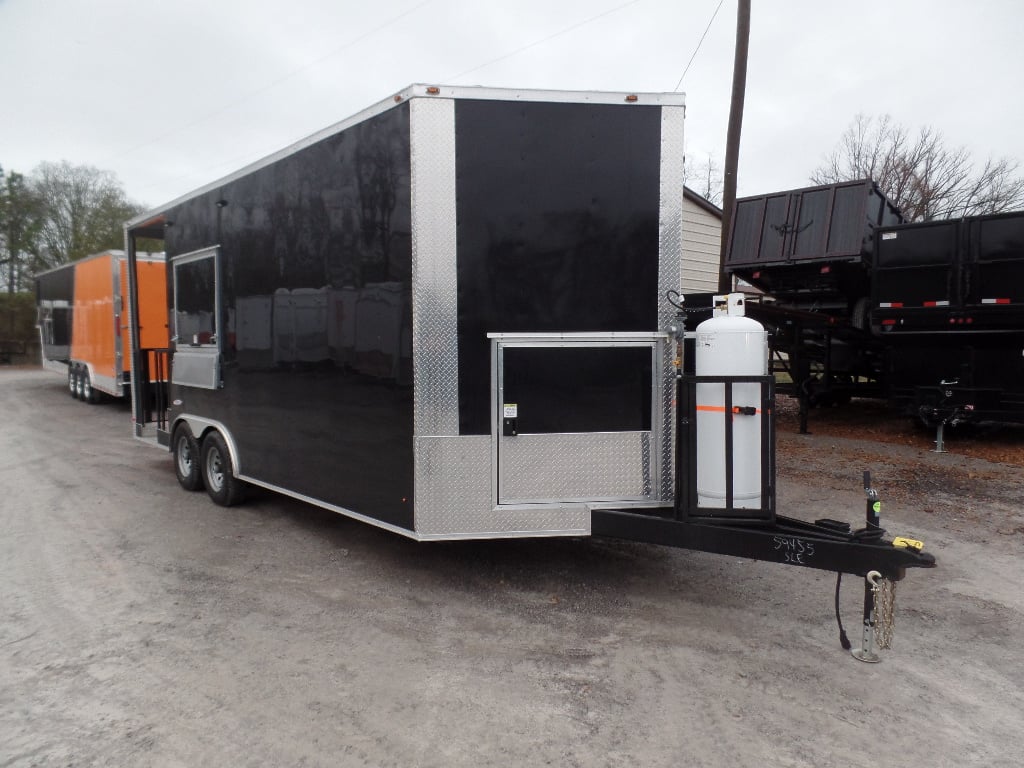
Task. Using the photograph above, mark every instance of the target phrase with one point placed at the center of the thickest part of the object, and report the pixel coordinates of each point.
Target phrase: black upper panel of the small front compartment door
(579, 390)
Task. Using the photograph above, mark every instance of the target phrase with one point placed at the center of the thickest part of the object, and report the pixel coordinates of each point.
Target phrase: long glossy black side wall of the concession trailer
(335, 215)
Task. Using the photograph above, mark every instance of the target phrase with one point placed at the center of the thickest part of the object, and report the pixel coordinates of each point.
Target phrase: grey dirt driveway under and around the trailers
(143, 626)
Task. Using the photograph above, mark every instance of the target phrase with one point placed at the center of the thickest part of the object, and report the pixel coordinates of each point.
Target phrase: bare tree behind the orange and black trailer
(84, 211)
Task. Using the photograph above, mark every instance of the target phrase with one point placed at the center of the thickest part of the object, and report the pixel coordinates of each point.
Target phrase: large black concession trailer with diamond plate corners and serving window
(448, 317)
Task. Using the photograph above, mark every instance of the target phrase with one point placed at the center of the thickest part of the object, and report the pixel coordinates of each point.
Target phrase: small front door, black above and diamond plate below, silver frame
(575, 419)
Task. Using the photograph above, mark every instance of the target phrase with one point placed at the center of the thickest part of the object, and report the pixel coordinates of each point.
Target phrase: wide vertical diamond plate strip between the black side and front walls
(436, 349)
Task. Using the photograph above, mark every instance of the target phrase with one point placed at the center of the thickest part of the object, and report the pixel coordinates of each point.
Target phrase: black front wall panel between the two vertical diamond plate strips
(556, 234)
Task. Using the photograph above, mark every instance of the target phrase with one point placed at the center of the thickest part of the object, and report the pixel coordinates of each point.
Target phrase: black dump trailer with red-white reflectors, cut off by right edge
(948, 302)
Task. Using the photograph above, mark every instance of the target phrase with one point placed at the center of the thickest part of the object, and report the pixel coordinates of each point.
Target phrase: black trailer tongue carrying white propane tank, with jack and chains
(726, 497)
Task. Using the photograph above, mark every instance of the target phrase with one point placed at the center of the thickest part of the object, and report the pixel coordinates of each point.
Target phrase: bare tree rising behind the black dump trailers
(923, 177)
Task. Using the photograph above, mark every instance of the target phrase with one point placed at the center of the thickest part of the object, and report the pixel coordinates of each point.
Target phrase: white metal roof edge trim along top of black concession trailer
(415, 92)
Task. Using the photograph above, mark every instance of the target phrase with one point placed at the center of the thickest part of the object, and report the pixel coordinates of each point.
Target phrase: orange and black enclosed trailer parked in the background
(83, 326)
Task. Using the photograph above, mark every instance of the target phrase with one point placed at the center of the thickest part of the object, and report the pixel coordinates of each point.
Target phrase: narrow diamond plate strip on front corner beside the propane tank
(669, 276)
